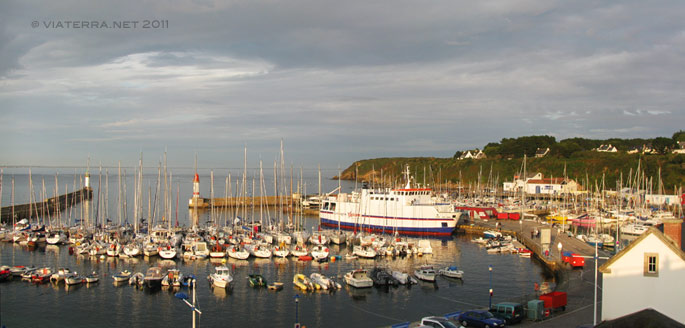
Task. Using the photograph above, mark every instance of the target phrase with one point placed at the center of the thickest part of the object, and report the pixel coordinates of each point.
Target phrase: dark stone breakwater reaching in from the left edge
(45, 207)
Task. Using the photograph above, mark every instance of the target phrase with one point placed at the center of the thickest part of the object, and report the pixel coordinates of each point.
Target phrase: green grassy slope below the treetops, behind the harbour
(592, 164)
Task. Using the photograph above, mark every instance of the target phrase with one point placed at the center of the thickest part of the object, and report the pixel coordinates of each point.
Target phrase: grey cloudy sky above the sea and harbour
(337, 80)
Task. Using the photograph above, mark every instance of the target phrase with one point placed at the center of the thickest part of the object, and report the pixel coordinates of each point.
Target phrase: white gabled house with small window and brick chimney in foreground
(649, 273)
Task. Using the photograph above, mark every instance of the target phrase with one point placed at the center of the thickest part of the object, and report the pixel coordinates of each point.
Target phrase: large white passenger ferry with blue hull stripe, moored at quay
(407, 211)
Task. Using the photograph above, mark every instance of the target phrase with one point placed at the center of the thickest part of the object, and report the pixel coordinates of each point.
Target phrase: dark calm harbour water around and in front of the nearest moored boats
(26, 305)
